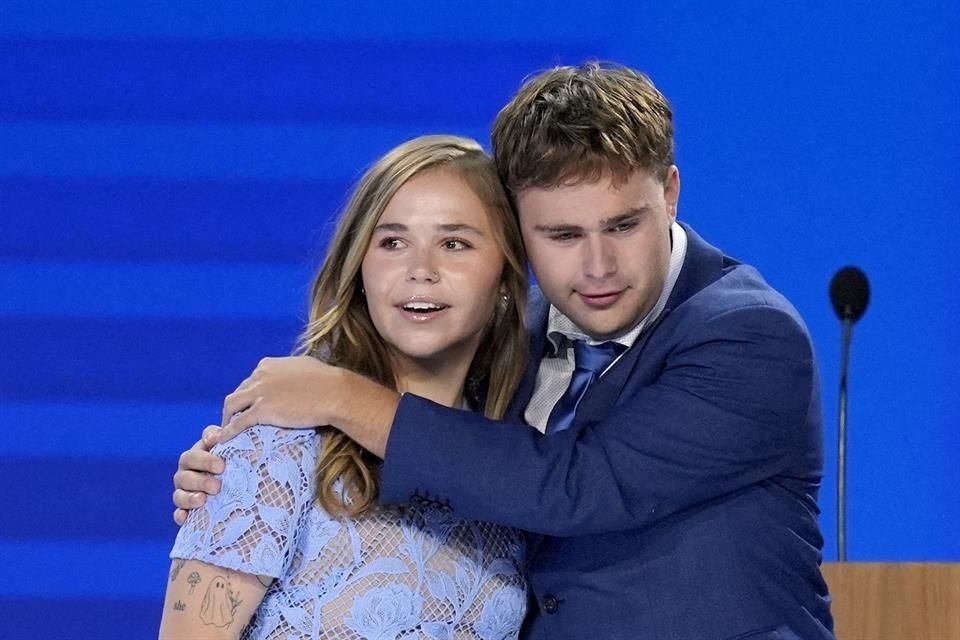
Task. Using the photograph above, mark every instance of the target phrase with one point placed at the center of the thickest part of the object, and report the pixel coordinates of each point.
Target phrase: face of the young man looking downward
(601, 252)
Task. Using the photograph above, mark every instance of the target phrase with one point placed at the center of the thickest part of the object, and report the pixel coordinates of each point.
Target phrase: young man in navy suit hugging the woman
(677, 456)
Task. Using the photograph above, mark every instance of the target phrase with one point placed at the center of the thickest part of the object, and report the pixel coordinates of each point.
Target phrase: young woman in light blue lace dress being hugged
(423, 289)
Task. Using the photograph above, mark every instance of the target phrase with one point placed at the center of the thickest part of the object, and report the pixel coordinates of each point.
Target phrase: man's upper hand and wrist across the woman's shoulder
(299, 392)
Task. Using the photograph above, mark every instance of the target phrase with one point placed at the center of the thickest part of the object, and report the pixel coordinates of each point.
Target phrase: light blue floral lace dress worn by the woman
(412, 572)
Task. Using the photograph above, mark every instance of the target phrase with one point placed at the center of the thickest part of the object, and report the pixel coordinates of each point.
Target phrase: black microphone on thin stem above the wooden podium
(850, 295)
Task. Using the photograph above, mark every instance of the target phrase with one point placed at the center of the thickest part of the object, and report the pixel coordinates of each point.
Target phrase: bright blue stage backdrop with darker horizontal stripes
(169, 173)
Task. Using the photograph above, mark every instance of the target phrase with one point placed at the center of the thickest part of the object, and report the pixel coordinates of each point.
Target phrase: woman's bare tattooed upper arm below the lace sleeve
(208, 602)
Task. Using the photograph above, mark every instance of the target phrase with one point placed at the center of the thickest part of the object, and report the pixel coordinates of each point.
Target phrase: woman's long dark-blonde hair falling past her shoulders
(340, 330)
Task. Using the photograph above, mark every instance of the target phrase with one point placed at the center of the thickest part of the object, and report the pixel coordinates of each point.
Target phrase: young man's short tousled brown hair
(578, 124)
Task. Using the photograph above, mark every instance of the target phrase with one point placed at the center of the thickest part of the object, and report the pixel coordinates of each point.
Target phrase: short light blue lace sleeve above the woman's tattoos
(253, 524)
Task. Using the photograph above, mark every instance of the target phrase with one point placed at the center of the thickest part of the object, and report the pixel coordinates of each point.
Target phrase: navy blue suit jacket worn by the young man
(682, 505)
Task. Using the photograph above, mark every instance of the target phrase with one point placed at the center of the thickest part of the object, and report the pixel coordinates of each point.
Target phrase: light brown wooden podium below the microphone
(895, 601)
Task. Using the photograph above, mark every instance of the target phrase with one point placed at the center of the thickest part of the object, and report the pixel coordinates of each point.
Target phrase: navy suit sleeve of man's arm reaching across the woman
(727, 411)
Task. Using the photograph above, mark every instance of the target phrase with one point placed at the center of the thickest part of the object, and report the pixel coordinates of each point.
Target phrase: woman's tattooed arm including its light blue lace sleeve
(253, 527)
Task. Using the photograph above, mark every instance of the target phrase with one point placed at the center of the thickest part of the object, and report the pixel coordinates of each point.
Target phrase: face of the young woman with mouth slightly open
(432, 271)
